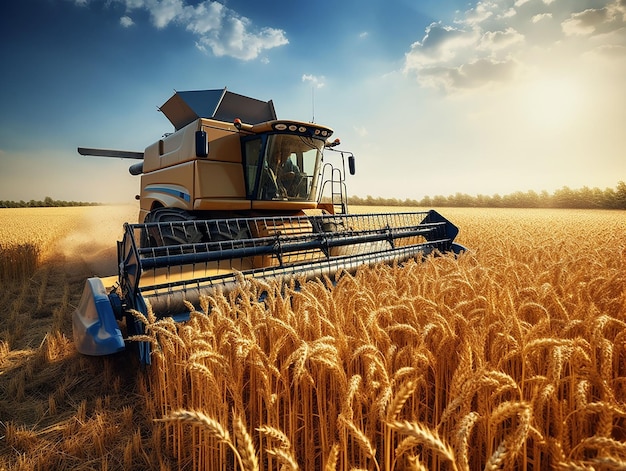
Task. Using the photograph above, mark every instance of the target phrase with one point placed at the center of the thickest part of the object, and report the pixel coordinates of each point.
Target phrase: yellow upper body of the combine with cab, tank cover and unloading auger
(228, 156)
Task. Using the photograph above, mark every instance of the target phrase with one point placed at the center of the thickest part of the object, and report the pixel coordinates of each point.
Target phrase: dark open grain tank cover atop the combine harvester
(185, 107)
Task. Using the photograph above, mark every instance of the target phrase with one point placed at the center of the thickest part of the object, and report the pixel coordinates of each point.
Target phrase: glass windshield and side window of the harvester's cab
(286, 167)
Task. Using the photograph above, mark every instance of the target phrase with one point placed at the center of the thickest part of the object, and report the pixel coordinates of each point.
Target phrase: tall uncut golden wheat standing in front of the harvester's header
(490, 349)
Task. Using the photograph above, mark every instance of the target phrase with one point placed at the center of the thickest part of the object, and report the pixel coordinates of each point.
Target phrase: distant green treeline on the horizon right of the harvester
(583, 198)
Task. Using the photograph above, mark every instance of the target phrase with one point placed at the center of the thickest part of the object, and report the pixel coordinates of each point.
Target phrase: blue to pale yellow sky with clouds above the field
(433, 97)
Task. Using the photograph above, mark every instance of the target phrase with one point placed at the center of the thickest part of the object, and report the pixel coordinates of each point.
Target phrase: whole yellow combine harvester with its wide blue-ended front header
(236, 194)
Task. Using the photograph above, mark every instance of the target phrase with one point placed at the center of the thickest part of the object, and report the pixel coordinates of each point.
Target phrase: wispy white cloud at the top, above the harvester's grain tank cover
(218, 29)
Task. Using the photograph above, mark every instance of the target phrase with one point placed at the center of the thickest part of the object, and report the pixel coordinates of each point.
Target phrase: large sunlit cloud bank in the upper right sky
(494, 43)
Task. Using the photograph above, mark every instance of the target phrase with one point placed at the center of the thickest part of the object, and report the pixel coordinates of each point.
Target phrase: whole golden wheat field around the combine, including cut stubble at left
(511, 356)
